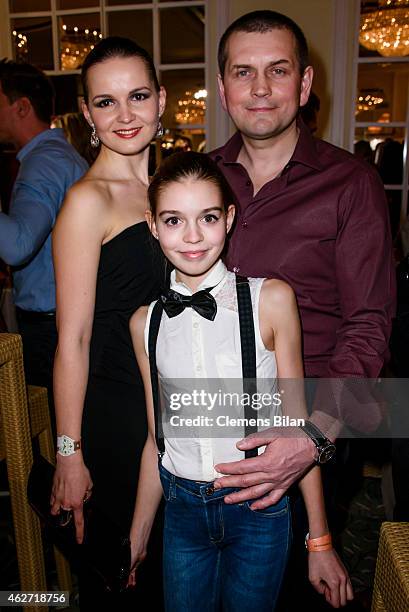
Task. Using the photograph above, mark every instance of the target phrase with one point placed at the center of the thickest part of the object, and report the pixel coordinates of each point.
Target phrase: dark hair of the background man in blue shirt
(26, 81)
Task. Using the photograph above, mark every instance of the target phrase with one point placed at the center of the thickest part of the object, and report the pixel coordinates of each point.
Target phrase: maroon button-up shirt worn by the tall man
(322, 226)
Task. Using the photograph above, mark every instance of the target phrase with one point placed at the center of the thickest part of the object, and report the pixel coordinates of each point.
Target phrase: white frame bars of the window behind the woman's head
(104, 9)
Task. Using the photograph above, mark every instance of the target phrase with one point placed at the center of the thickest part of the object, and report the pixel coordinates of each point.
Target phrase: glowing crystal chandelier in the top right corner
(386, 29)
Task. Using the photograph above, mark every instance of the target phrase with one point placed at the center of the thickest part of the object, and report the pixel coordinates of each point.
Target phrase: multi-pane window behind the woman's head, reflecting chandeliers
(56, 35)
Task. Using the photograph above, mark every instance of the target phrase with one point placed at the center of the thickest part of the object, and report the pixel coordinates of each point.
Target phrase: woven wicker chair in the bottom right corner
(391, 586)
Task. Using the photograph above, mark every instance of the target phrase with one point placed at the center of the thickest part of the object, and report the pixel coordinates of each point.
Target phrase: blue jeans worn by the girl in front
(216, 554)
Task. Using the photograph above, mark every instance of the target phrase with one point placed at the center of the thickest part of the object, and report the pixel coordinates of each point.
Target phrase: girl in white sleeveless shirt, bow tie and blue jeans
(216, 553)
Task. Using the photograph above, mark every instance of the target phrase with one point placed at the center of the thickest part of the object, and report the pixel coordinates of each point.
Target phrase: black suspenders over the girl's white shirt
(248, 357)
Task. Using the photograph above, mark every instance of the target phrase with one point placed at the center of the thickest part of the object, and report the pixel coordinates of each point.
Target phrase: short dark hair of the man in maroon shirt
(261, 22)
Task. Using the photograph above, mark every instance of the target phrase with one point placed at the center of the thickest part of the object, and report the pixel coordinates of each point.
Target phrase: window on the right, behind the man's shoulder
(380, 126)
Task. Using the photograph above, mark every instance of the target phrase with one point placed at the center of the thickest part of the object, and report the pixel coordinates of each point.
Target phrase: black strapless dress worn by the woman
(114, 425)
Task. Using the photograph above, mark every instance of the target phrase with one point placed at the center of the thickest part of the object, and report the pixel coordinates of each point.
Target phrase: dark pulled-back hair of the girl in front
(184, 166)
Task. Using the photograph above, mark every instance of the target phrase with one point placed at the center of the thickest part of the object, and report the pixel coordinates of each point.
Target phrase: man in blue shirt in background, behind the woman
(49, 165)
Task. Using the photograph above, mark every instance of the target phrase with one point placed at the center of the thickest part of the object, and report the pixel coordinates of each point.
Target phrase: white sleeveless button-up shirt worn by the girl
(192, 347)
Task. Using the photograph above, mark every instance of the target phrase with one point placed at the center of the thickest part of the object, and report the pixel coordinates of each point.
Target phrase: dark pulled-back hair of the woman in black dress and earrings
(116, 46)
